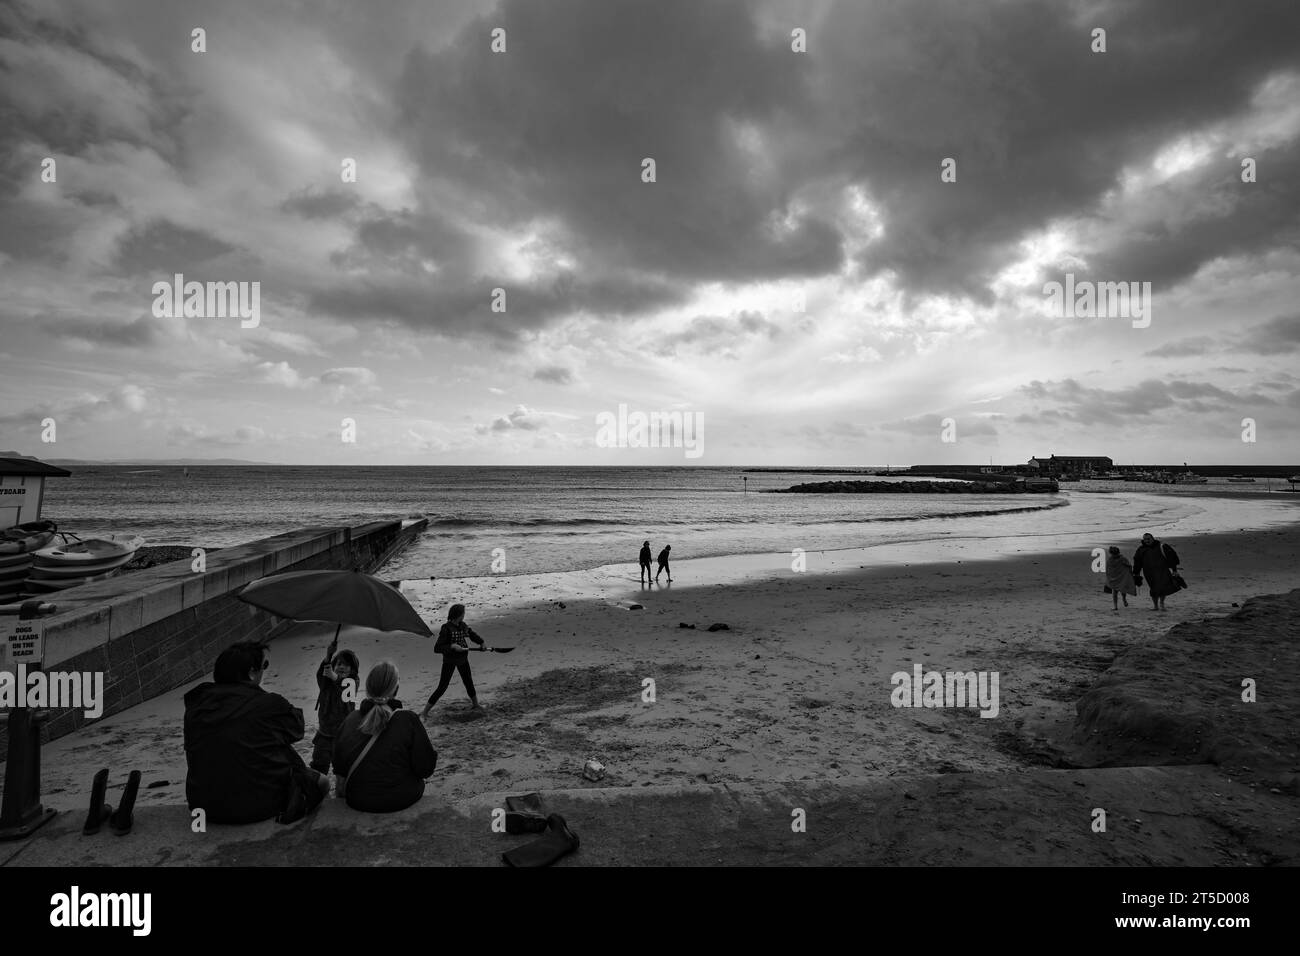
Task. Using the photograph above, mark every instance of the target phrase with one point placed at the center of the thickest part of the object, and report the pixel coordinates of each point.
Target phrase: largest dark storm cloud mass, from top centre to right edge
(1041, 128)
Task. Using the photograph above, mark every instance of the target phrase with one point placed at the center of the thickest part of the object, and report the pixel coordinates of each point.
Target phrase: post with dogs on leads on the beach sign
(21, 811)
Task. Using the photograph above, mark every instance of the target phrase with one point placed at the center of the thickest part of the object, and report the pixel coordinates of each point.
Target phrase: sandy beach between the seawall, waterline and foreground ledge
(795, 693)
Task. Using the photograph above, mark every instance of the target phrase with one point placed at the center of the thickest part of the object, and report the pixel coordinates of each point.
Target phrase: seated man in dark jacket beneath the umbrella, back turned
(240, 746)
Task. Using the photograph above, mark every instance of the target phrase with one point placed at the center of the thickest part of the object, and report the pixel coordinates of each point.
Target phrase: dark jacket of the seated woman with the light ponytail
(392, 776)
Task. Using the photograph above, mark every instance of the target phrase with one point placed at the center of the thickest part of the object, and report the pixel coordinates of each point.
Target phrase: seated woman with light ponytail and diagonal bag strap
(383, 751)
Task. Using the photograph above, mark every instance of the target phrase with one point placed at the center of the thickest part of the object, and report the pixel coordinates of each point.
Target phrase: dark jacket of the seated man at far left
(240, 751)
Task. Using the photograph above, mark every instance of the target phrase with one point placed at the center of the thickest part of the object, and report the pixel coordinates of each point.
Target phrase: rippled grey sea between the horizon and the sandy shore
(534, 520)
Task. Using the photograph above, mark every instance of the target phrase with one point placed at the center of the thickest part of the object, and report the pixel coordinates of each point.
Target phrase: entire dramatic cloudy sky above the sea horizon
(779, 174)
